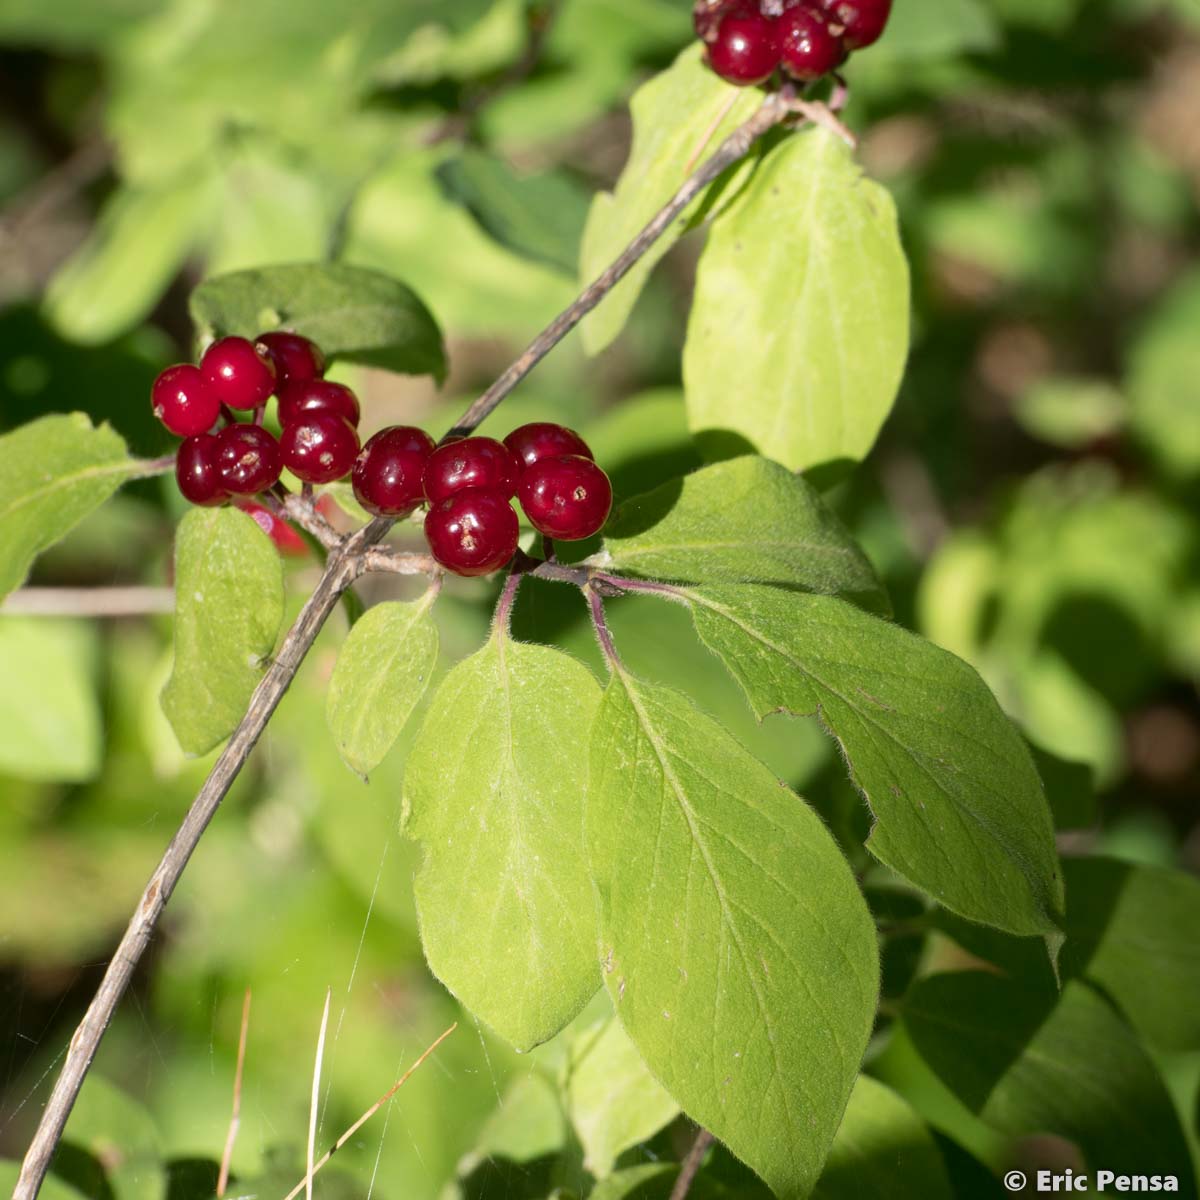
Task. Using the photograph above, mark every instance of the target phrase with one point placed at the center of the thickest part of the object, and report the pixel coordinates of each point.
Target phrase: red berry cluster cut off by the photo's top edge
(749, 40)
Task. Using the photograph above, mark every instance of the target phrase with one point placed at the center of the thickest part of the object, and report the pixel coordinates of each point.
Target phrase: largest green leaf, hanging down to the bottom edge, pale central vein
(737, 949)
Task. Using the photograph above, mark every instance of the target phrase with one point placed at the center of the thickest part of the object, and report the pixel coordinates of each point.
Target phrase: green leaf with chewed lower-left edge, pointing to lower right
(959, 809)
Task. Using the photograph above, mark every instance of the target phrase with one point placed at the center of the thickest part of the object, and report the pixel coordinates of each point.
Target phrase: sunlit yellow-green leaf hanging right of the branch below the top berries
(800, 328)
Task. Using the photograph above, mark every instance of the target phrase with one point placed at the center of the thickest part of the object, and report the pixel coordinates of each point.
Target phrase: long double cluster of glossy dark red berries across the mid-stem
(469, 483)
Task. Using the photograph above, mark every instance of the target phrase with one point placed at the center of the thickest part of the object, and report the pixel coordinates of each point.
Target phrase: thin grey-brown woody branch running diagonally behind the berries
(347, 561)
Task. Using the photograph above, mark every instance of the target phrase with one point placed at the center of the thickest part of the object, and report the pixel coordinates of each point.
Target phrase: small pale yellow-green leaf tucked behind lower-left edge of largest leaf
(615, 1102)
